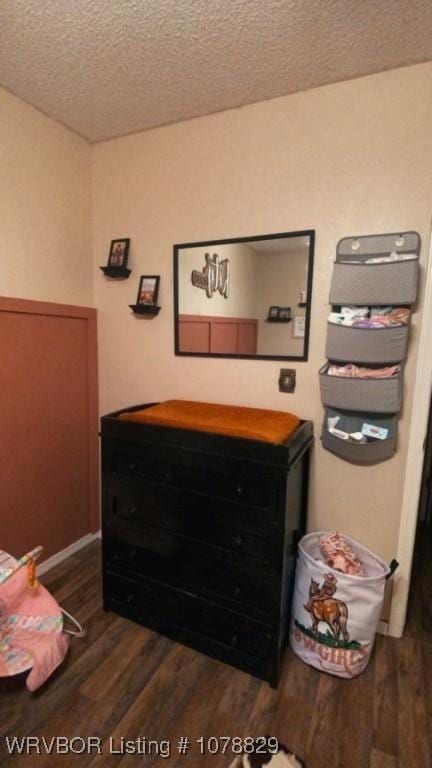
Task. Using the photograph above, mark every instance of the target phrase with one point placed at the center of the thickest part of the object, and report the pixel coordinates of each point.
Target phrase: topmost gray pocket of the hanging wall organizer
(374, 284)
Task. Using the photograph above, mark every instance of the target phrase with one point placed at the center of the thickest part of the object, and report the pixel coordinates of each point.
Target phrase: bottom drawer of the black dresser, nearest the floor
(171, 611)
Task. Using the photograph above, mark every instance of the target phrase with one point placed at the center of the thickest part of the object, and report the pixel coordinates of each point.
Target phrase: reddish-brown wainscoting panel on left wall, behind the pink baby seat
(49, 464)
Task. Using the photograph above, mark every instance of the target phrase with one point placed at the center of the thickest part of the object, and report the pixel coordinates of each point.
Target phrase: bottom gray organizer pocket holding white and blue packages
(359, 453)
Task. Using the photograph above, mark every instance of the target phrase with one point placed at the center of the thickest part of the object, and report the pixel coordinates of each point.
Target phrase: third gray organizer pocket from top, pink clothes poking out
(352, 394)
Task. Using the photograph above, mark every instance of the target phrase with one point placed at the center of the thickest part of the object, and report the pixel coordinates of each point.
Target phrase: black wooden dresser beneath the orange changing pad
(200, 533)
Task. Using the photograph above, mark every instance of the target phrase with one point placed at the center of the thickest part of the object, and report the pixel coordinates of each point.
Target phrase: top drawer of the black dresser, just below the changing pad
(215, 476)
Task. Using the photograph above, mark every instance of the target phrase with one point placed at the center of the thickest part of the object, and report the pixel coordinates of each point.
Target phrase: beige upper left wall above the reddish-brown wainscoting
(45, 207)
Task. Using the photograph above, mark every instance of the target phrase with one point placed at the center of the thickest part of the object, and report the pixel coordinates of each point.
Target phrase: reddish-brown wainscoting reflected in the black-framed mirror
(213, 334)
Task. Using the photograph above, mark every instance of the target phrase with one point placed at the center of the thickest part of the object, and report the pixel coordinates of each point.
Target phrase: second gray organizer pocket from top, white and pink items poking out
(366, 345)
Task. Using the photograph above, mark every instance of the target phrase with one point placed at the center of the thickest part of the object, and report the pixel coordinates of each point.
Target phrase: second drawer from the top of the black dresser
(183, 518)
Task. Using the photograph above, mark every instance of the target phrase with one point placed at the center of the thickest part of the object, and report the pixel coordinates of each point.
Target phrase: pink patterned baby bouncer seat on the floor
(32, 635)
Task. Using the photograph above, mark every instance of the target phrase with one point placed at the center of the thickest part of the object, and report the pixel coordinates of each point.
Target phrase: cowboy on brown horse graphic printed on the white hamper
(324, 607)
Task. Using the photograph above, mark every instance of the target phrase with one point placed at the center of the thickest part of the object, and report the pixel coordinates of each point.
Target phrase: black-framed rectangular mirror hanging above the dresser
(245, 297)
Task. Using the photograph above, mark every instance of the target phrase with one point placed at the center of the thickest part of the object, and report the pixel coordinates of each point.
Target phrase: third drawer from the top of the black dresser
(252, 591)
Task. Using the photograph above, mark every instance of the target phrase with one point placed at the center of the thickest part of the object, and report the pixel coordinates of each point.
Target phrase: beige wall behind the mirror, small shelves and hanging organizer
(351, 158)
